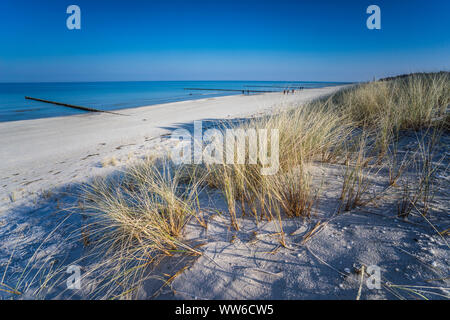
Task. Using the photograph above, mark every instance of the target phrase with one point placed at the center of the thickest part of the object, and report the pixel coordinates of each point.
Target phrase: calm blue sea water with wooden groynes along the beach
(118, 95)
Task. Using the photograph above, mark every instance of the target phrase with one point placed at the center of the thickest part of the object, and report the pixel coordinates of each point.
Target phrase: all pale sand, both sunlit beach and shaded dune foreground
(40, 159)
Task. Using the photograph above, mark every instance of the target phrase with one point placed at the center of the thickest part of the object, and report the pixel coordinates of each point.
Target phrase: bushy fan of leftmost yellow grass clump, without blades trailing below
(147, 205)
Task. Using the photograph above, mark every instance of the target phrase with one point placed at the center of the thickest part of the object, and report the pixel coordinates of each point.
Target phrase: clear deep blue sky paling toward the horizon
(221, 40)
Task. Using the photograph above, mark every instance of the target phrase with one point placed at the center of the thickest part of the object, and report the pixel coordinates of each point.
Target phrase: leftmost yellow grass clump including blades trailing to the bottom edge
(137, 218)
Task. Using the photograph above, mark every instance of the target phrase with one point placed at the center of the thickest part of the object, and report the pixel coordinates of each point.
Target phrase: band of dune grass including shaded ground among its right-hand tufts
(139, 216)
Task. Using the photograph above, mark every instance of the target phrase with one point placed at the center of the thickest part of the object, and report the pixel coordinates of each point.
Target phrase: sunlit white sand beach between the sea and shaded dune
(41, 154)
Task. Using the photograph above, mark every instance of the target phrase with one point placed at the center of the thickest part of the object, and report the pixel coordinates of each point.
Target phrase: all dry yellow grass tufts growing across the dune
(142, 214)
